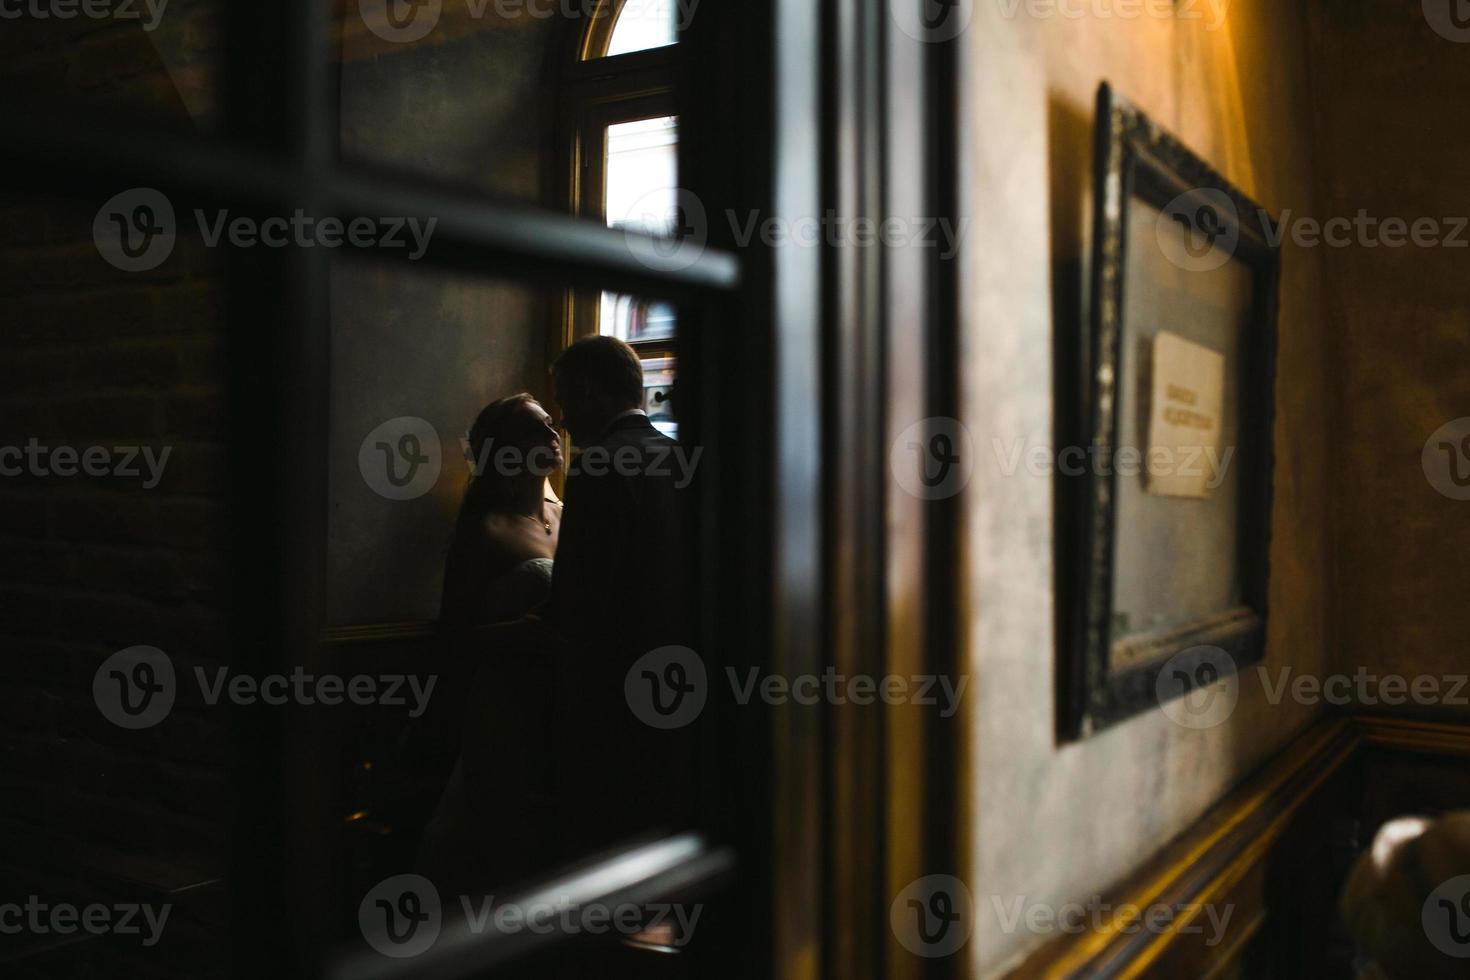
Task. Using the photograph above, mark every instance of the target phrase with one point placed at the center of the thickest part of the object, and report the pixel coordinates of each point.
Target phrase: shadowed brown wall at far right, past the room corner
(1391, 129)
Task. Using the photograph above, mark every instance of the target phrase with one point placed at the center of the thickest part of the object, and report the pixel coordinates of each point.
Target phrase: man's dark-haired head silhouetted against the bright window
(595, 381)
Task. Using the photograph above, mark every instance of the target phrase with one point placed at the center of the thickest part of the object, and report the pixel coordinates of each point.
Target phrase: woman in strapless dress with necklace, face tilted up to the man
(490, 825)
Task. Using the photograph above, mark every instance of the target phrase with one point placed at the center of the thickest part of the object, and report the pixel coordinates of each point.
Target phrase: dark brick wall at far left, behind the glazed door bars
(93, 356)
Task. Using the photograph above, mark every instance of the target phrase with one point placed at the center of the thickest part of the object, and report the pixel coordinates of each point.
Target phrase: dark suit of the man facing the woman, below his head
(620, 590)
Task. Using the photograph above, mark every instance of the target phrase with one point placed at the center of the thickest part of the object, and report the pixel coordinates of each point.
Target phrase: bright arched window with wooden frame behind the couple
(624, 154)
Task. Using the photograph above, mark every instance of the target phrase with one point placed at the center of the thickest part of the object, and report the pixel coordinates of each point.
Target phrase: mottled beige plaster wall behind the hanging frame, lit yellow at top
(1053, 825)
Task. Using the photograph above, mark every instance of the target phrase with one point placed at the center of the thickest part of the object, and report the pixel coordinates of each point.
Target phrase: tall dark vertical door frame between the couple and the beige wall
(852, 346)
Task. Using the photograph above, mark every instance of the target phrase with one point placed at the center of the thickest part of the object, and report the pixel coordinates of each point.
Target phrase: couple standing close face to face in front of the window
(553, 602)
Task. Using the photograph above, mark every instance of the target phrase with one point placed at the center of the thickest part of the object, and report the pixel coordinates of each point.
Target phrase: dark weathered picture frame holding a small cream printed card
(1166, 541)
